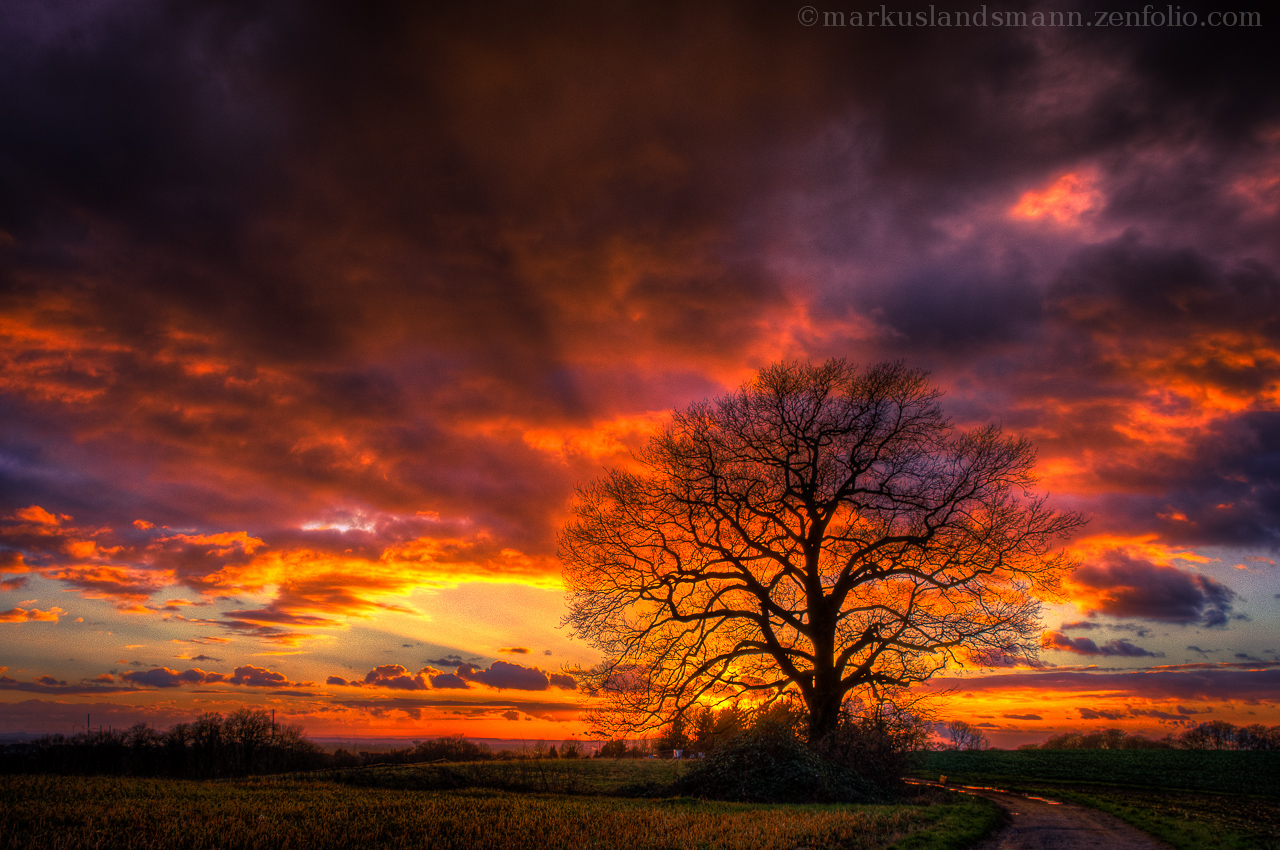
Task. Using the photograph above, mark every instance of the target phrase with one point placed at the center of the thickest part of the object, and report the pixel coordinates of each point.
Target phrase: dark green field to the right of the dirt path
(1190, 799)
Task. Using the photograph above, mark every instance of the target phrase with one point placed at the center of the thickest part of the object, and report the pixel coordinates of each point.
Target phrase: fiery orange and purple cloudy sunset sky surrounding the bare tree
(313, 316)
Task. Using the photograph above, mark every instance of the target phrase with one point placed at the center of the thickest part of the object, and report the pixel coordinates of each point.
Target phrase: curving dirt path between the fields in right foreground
(1041, 825)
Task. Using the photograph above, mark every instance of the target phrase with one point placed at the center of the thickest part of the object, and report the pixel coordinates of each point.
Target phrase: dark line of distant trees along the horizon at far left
(243, 743)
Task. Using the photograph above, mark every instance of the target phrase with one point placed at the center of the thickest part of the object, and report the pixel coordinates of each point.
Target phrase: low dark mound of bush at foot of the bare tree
(769, 765)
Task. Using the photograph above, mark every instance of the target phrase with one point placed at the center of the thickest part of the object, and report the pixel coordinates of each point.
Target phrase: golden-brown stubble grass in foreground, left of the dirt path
(61, 814)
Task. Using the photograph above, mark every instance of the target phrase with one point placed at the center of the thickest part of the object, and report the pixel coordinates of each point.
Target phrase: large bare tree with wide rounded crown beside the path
(821, 531)
